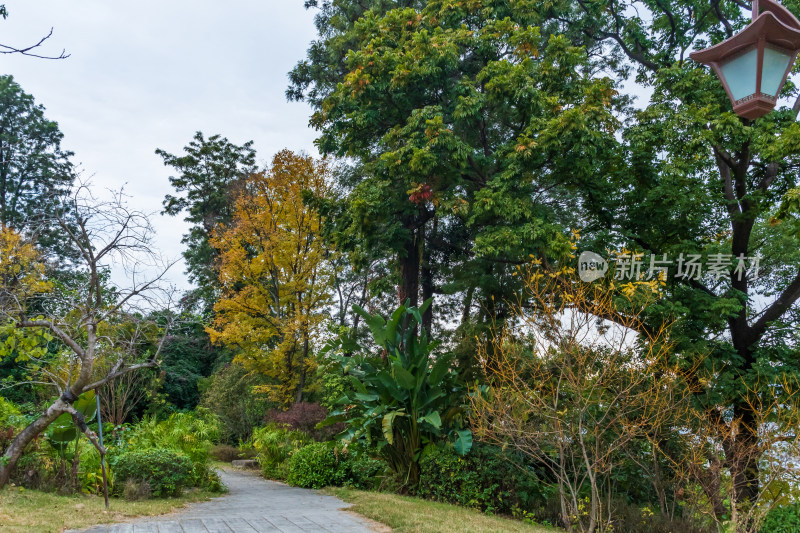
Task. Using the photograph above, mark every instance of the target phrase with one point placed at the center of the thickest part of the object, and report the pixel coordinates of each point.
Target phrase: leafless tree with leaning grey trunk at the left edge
(89, 317)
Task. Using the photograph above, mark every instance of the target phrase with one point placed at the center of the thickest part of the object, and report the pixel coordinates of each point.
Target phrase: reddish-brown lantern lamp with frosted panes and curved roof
(754, 63)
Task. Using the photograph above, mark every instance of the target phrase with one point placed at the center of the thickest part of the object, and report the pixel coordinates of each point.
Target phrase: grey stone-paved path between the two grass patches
(252, 505)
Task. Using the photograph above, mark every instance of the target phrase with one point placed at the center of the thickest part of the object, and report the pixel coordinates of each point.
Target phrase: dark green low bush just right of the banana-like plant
(487, 478)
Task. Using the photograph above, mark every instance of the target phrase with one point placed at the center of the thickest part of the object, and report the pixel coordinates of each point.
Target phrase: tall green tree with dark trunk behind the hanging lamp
(690, 177)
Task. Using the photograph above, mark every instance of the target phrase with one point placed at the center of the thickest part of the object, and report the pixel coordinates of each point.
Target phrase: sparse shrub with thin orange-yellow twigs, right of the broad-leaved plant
(573, 391)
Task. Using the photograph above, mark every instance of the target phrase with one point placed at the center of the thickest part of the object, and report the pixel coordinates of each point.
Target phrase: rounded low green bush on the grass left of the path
(166, 471)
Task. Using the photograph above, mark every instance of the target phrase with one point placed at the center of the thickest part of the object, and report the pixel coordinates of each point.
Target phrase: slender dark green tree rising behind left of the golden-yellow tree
(209, 171)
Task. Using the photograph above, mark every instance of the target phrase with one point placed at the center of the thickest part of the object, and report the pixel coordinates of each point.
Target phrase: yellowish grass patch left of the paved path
(31, 511)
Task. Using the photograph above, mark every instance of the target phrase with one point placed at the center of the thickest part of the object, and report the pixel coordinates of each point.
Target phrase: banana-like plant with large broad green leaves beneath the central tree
(405, 400)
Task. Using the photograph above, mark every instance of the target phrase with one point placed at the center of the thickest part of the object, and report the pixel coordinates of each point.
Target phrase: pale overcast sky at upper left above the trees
(148, 74)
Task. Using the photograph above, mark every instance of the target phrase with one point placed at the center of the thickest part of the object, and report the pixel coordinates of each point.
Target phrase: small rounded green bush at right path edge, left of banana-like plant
(325, 463)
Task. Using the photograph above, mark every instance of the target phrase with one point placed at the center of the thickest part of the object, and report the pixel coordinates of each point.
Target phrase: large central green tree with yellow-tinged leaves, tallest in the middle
(459, 114)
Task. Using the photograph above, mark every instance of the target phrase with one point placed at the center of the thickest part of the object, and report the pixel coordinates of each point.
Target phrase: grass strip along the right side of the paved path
(413, 515)
